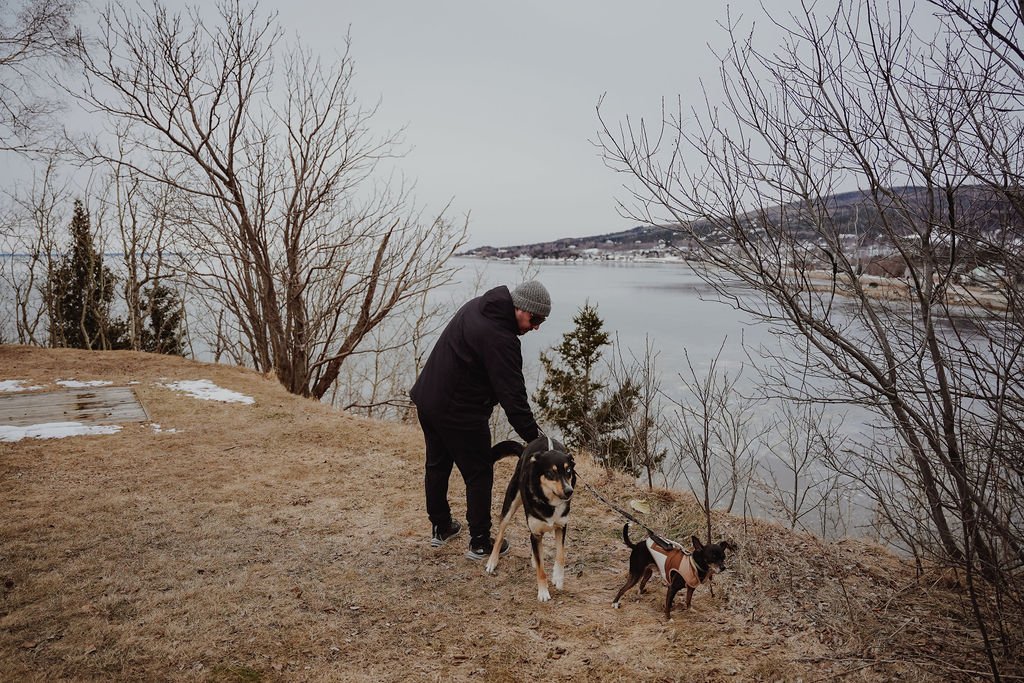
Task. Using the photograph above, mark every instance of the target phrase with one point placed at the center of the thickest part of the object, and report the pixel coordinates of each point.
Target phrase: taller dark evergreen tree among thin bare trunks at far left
(81, 290)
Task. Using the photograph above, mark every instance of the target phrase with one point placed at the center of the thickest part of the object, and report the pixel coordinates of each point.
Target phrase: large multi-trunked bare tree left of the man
(300, 252)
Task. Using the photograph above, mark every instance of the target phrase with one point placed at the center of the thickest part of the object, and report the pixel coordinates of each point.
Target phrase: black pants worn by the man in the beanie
(470, 450)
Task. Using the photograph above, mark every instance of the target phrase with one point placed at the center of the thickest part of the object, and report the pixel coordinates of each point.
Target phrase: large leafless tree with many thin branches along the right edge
(929, 133)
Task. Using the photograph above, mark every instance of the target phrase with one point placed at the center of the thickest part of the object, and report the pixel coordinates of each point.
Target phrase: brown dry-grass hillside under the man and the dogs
(285, 541)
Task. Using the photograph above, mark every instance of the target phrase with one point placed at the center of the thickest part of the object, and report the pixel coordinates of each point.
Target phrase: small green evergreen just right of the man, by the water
(590, 414)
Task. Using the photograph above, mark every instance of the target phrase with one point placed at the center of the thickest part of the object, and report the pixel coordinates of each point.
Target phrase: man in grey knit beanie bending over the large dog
(476, 365)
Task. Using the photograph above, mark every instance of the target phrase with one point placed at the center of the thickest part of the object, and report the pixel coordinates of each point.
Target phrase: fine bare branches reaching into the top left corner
(33, 34)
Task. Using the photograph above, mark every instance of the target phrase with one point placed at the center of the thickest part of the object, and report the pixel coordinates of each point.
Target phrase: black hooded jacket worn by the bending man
(476, 365)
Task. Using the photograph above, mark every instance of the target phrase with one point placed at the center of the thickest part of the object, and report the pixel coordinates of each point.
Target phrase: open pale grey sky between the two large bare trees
(499, 99)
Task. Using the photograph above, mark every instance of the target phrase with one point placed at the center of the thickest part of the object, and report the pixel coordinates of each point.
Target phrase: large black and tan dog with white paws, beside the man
(543, 485)
